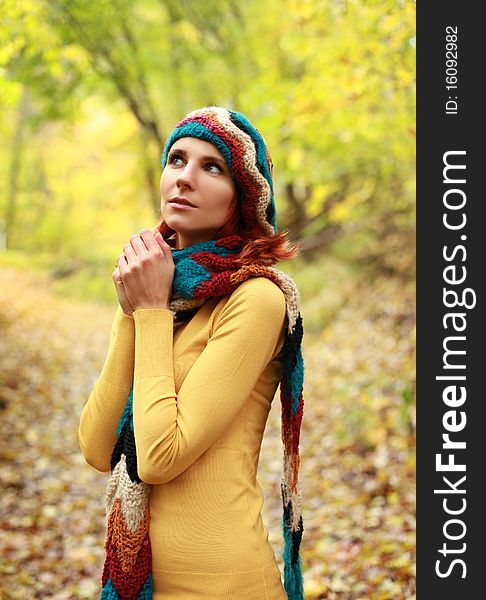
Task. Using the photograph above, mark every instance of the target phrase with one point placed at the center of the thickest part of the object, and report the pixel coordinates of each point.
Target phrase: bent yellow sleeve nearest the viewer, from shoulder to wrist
(174, 430)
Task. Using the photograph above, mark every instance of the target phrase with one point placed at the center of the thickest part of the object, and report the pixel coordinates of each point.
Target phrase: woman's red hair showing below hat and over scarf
(266, 250)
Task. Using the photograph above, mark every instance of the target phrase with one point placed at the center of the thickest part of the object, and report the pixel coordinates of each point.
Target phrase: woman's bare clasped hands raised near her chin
(147, 270)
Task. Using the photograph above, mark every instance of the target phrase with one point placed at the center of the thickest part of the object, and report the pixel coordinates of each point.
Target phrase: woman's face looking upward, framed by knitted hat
(195, 173)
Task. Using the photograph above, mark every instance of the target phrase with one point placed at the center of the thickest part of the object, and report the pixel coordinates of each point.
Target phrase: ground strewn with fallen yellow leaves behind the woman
(357, 445)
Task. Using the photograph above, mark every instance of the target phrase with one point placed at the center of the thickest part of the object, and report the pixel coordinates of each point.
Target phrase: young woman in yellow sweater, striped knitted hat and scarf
(205, 331)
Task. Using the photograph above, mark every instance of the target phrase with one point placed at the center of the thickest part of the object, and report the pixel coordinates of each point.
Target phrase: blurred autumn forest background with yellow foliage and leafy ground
(89, 92)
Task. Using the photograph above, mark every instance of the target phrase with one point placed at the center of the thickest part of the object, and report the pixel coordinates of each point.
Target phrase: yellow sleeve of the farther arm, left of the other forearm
(103, 410)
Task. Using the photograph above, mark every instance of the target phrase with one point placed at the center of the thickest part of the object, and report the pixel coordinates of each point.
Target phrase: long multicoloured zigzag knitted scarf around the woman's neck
(202, 271)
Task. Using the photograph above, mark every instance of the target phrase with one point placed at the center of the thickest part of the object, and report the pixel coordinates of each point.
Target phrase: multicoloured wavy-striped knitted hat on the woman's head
(244, 151)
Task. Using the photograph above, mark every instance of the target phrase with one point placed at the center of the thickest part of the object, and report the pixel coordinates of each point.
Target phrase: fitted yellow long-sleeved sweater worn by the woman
(202, 393)
